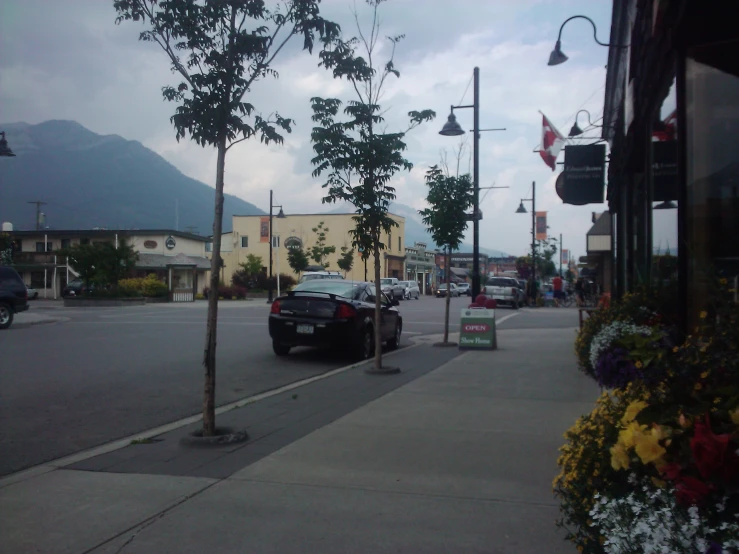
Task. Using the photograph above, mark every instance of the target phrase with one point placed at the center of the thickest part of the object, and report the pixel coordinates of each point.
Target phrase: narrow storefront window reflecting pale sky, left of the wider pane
(664, 183)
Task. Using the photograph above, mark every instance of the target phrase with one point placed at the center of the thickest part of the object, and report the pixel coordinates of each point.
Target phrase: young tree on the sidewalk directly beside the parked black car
(358, 155)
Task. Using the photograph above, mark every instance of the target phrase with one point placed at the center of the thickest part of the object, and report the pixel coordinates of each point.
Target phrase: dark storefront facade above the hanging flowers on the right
(672, 122)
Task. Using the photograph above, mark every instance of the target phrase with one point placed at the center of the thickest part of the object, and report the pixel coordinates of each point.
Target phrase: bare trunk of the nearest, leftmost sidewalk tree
(209, 356)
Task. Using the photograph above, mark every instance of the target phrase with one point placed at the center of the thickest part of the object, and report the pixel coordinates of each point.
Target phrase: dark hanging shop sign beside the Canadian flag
(583, 180)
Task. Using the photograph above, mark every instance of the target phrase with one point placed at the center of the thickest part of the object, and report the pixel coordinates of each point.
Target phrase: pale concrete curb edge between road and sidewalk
(60, 463)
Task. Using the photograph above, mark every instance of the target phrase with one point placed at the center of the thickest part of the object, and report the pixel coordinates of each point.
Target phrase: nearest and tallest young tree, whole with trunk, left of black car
(220, 49)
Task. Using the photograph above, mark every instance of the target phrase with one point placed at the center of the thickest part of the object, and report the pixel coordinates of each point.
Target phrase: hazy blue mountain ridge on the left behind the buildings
(89, 180)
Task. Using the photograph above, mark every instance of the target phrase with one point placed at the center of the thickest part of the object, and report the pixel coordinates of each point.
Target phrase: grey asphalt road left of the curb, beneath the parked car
(109, 373)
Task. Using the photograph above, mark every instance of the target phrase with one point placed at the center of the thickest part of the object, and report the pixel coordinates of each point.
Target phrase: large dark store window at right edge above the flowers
(712, 173)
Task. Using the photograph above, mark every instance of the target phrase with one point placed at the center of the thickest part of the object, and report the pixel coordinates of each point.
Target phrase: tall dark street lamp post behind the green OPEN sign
(452, 129)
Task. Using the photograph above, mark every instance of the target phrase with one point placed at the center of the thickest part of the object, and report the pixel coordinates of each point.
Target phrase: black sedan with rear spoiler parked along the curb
(333, 314)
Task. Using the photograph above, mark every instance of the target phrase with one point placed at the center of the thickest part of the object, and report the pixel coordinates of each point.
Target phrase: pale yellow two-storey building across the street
(250, 235)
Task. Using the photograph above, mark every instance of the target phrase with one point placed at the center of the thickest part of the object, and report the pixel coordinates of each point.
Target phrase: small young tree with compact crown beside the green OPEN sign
(449, 198)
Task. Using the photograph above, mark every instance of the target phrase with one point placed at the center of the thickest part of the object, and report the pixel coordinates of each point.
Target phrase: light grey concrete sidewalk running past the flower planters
(459, 459)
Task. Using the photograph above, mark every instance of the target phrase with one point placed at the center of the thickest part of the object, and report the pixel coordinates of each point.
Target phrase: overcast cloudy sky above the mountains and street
(68, 60)
